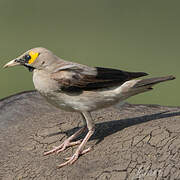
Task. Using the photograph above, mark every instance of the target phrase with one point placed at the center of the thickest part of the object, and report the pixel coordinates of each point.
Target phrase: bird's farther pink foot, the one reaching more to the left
(62, 147)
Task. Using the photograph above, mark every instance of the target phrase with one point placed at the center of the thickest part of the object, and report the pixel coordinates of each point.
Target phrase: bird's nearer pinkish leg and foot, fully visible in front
(80, 151)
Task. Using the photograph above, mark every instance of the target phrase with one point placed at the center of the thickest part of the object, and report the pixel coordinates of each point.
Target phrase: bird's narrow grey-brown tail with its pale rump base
(133, 87)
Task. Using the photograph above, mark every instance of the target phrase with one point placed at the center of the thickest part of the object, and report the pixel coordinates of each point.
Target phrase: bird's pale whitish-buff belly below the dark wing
(86, 101)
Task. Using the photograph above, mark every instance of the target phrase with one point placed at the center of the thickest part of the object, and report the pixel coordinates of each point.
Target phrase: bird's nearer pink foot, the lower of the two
(71, 160)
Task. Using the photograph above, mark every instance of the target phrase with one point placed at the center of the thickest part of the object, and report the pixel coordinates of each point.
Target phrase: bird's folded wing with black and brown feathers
(80, 77)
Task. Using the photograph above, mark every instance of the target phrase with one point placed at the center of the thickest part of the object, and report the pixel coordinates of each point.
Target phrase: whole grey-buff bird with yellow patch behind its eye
(80, 88)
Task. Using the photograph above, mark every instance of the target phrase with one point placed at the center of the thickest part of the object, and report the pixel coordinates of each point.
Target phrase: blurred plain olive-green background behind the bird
(133, 35)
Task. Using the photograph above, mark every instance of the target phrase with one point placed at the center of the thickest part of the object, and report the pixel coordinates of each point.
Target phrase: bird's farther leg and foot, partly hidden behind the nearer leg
(67, 142)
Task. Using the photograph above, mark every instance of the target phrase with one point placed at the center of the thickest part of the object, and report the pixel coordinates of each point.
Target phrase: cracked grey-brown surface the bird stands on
(133, 142)
